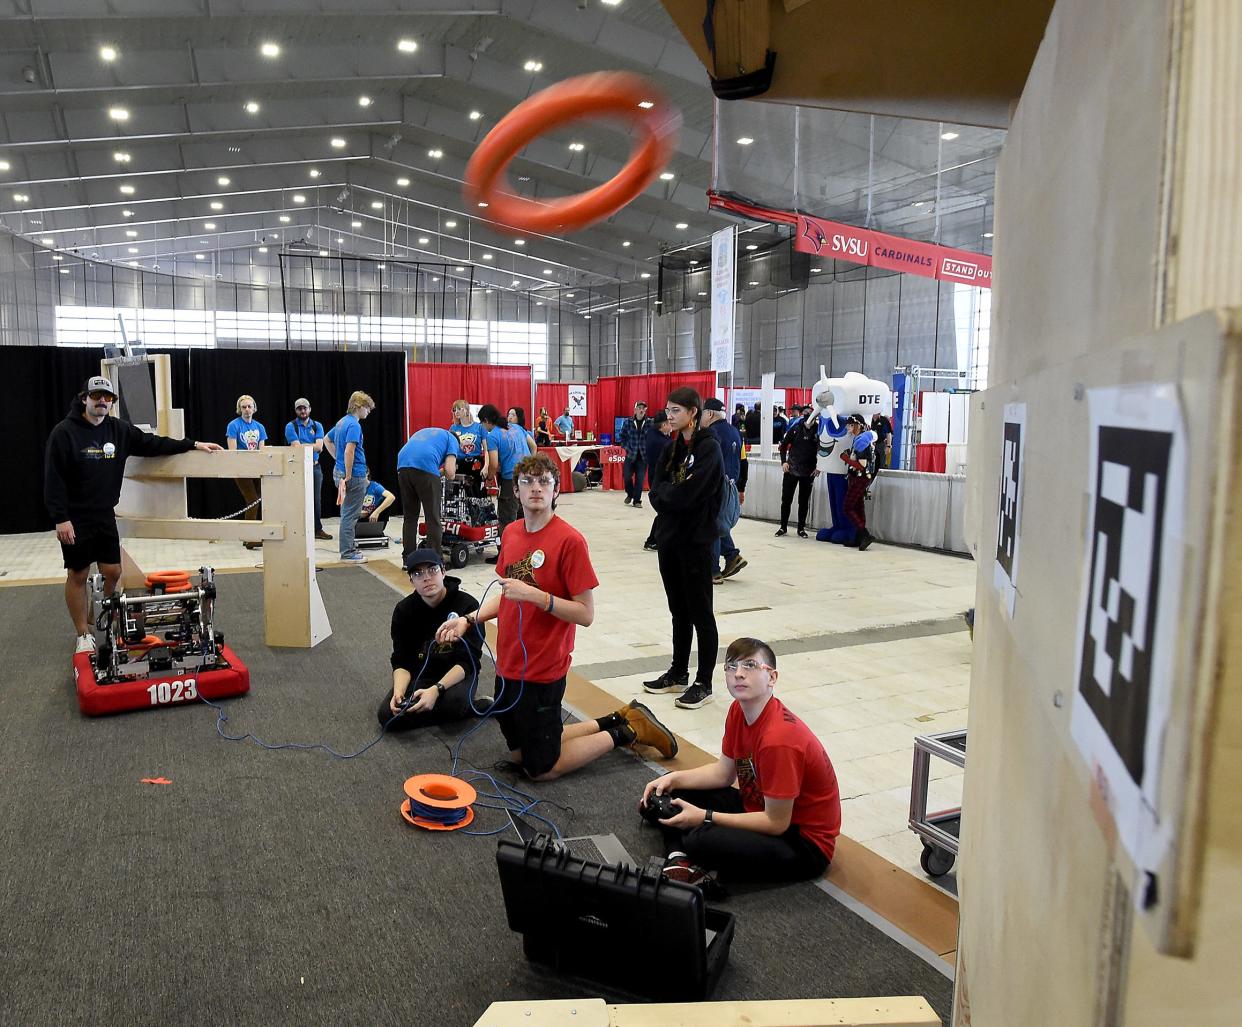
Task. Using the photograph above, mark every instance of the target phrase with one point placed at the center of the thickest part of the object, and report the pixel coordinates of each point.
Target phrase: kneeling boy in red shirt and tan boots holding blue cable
(547, 592)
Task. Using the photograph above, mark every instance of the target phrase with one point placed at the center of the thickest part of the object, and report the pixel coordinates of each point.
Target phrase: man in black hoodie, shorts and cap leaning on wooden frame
(84, 468)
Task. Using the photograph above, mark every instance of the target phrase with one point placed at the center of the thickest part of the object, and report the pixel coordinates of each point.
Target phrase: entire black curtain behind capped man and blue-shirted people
(206, 386)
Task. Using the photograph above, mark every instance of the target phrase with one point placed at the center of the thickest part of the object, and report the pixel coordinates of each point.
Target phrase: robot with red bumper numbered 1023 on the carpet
(160, 648)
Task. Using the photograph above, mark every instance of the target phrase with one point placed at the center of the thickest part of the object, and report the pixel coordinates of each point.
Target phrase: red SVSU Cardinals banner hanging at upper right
(845, 243)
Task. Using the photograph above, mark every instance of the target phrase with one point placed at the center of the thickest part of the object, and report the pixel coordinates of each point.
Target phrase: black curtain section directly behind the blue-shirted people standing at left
(276, 379)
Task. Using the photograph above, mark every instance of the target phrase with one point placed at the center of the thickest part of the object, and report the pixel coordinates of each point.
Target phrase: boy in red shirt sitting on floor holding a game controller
(783, 819)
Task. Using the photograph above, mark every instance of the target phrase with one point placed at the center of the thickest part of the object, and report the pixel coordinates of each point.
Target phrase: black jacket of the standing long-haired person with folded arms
(687, 497)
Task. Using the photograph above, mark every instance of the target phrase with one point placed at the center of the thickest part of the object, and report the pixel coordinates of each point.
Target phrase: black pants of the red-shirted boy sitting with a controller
(740, 855)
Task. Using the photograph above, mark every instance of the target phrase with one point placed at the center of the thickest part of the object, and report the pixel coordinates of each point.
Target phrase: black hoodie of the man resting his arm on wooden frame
(85, 465)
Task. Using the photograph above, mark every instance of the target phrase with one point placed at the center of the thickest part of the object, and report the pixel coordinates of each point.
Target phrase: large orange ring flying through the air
(614, 94)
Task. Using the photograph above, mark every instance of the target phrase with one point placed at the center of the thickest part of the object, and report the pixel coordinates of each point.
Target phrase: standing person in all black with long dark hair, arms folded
(686, 496)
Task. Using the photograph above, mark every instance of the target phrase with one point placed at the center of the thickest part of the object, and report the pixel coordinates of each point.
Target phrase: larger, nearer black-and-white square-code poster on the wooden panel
(1131, 604)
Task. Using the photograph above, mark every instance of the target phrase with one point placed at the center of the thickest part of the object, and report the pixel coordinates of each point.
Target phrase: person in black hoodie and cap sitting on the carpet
(435, 689)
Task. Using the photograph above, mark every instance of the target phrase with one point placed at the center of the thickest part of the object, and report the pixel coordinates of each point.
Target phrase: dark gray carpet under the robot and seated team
(284, 887)
